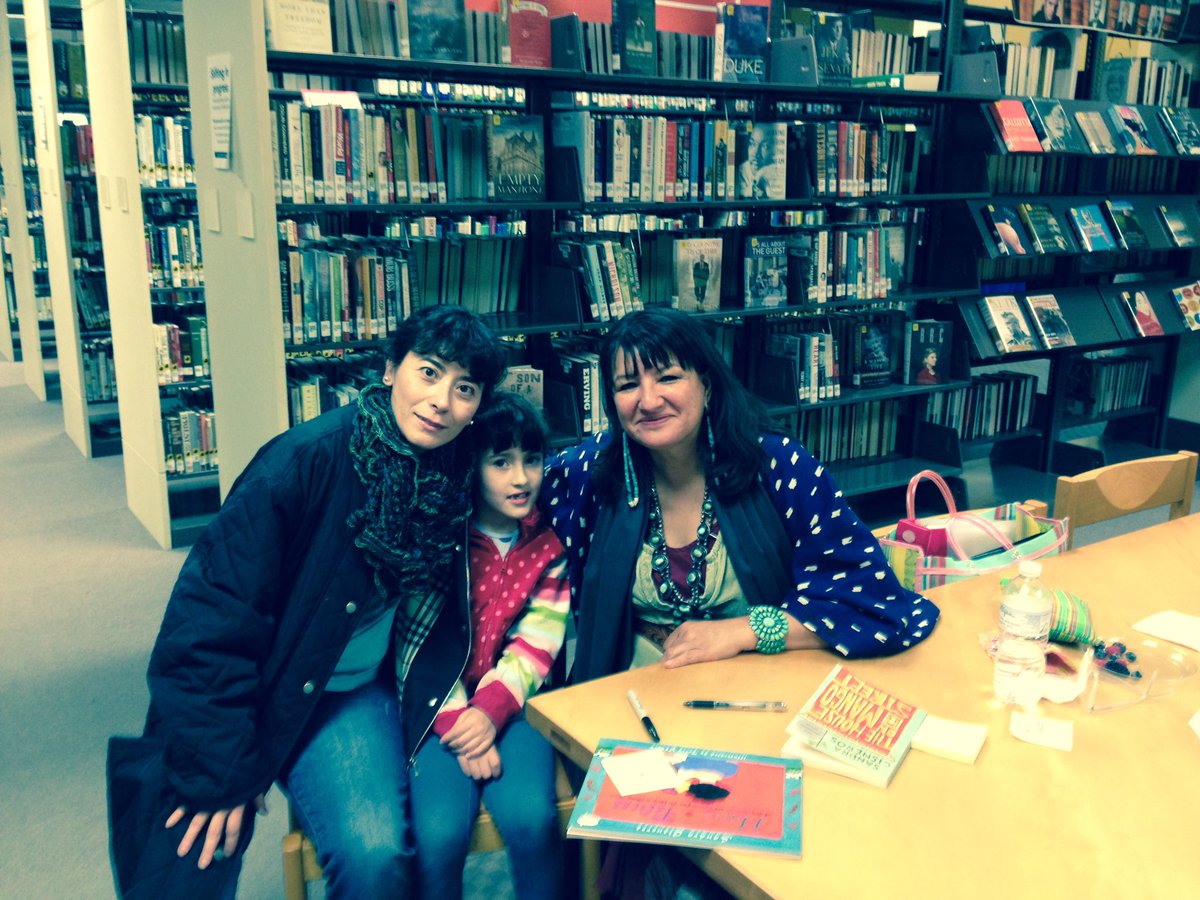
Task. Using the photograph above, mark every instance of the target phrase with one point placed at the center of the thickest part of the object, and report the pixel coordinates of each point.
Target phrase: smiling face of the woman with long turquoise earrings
(661, 409)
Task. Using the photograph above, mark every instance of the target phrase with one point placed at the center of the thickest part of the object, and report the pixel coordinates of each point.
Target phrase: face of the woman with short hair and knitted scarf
(433, 399)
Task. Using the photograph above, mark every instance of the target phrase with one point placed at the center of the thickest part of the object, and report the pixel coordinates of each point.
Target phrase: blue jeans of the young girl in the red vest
(521, 801)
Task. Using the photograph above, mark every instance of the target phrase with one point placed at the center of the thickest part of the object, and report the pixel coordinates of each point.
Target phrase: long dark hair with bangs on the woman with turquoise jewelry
(657, 338)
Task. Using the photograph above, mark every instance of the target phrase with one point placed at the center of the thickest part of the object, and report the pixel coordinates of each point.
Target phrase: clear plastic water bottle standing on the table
(1027, 609)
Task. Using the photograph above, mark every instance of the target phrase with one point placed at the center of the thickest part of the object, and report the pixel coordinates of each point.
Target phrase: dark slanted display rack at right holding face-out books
(1107, 397)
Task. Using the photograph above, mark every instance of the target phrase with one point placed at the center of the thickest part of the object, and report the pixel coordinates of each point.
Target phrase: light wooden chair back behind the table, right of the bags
(1126, 488)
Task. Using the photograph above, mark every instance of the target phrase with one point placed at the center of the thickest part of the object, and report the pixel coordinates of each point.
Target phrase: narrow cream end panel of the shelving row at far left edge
(20, 247)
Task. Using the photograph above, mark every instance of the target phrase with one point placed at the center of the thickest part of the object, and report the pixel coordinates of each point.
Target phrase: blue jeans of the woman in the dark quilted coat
(349, 787)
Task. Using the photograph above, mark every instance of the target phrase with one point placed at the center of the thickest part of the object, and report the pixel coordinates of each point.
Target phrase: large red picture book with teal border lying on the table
(691, 799)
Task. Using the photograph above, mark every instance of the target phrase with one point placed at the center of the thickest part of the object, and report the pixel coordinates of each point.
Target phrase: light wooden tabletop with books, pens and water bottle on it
(1118, 815)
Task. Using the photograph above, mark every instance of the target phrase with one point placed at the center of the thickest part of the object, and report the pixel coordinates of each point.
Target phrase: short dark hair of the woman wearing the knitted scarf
(457, 335)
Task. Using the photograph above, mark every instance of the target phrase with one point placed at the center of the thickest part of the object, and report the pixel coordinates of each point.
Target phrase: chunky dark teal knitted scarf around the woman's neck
(417, 503)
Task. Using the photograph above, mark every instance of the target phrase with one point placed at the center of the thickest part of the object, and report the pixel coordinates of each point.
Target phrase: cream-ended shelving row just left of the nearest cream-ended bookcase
(172, 506)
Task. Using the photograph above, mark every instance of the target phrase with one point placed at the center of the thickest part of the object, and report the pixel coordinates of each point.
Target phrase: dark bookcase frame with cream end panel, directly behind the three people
(243, 256)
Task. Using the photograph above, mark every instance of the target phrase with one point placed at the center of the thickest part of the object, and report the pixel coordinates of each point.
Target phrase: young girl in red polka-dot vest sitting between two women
(483, 748)
